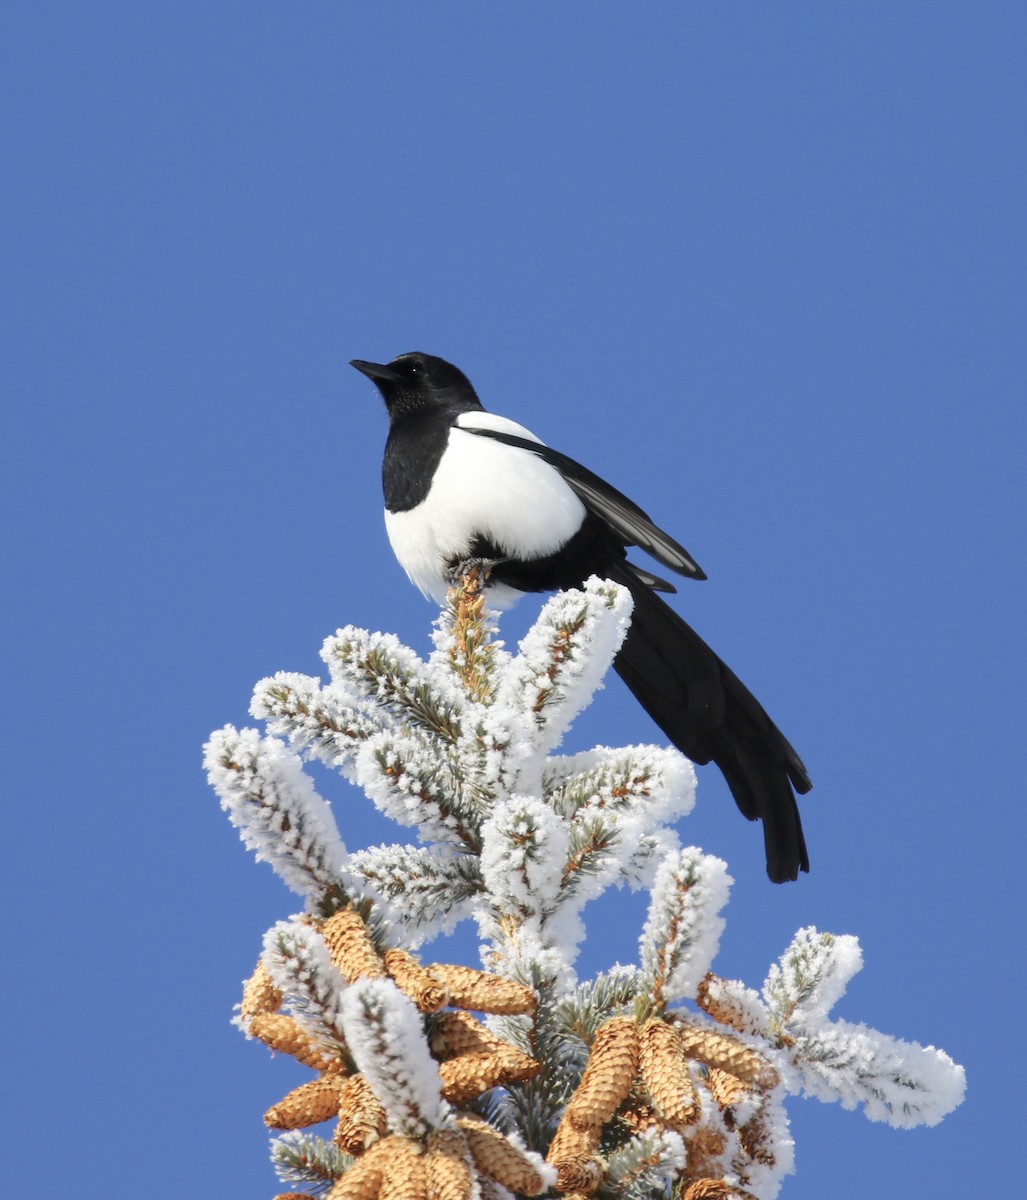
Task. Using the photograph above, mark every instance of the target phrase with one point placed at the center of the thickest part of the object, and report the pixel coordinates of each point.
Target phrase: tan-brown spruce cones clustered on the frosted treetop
(639, 1076)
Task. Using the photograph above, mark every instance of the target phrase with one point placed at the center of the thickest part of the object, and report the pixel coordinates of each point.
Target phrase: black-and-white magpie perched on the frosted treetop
(465, 485)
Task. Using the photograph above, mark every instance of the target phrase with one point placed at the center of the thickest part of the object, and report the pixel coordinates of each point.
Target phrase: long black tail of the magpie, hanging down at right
(712, 717)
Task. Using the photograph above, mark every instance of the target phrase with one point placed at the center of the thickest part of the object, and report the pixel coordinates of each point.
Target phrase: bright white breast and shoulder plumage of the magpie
(484, 489)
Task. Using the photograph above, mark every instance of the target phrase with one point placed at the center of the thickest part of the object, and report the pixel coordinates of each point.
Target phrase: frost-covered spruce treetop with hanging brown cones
(447, 1082)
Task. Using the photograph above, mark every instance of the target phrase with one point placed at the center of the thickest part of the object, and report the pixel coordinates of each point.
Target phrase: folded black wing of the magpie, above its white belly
(612, 507)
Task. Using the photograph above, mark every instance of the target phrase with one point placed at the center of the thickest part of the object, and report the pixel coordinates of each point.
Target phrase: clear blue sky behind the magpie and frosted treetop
(760, 266)
